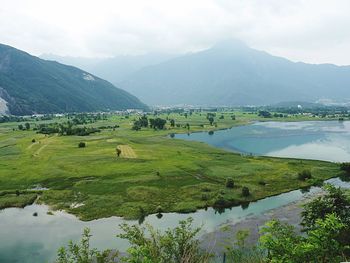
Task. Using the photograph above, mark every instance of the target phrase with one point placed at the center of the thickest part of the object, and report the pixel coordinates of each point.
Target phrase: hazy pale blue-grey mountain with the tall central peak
(233, 74)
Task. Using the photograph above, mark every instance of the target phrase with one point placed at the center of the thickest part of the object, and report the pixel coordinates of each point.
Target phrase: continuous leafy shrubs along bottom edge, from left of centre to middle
(178, 245)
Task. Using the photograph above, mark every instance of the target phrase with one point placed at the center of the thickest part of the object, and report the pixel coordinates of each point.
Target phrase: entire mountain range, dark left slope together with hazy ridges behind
(228, 74)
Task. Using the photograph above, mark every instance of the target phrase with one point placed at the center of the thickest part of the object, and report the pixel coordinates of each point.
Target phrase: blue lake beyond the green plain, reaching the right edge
(319, 140)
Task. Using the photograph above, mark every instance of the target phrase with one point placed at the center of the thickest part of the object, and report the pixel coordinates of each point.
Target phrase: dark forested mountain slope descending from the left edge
(30, 85)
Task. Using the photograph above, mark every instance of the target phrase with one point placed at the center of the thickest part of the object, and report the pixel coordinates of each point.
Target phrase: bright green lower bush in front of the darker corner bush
(320, 245)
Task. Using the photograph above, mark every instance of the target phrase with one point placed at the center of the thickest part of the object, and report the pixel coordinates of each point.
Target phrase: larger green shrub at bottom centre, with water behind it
(172, 246)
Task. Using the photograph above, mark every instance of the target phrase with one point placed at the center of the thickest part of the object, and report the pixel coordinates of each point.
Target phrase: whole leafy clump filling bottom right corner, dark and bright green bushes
(326, 222)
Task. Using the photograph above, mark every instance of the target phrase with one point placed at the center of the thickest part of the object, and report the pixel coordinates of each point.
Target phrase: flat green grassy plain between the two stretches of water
(153, 169)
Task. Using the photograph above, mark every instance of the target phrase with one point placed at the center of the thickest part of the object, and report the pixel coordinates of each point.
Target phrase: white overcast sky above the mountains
(315, 31)
